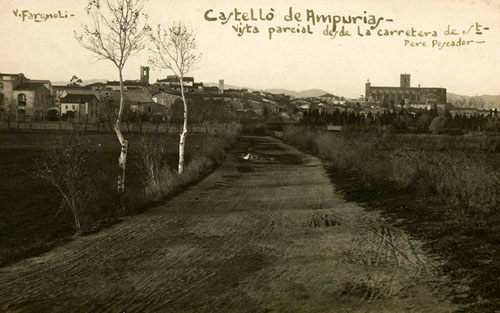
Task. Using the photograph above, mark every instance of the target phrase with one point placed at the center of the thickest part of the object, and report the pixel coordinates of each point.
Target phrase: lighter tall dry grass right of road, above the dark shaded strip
(464, 181)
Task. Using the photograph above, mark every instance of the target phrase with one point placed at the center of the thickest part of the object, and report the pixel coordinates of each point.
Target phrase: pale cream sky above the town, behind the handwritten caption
(48, 50)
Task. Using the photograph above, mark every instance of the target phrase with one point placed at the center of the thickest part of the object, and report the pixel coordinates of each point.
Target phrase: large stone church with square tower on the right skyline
(405, 95)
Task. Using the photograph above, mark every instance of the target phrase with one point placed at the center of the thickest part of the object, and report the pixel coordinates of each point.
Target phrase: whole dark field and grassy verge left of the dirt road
(35, 216)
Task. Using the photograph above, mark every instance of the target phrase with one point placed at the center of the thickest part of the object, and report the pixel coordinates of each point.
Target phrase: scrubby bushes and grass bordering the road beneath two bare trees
(89, 192)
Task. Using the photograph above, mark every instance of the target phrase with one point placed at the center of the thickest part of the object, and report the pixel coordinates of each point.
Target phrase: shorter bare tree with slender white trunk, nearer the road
(174, 49)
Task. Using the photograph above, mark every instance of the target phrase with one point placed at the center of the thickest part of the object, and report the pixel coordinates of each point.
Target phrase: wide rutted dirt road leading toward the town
(268, 234)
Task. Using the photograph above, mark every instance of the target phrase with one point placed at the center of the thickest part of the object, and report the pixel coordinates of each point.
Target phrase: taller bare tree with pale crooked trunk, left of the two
(115, 33)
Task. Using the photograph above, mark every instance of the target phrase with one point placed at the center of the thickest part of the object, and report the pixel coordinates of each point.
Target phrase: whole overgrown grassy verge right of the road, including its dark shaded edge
(449, 198)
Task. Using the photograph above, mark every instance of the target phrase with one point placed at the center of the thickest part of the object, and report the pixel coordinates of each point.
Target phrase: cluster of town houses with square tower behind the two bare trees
(22, 98)
